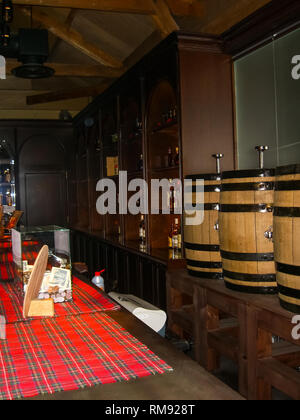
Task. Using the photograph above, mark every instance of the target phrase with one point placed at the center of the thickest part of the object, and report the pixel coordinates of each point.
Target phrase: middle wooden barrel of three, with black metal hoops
(246, 218)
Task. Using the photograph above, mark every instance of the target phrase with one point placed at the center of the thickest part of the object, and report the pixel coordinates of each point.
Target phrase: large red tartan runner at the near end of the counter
(64, 354)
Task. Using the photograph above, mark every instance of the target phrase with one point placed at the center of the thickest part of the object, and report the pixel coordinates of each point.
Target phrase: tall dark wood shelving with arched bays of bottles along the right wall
(162, 120)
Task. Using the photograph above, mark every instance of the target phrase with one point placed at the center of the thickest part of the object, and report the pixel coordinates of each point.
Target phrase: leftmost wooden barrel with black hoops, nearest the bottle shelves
(201, 242)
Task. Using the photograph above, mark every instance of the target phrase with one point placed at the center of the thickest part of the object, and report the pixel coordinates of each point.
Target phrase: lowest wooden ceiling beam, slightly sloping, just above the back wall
(64, 95)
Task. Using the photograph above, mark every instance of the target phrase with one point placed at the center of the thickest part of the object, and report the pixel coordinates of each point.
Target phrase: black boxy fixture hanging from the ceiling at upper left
(31, 48)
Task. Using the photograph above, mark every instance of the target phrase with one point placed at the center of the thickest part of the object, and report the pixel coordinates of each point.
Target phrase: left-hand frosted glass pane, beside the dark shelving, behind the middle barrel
(256, 107)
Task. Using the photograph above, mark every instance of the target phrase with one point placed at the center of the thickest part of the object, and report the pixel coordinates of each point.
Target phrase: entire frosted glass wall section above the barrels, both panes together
(268, 102)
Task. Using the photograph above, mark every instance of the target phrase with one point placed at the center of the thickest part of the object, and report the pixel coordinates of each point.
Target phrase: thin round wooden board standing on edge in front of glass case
(36, 279)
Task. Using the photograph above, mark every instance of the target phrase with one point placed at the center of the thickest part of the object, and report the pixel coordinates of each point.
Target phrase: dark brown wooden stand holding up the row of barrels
(246, 339)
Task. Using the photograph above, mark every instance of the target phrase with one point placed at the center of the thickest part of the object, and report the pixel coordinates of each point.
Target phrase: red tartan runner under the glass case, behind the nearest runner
(86, 299)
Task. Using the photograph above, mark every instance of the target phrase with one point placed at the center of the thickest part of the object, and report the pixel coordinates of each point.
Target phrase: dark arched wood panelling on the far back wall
(40, 151)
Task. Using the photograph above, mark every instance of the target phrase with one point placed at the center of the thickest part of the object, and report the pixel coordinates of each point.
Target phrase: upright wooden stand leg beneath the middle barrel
(259, 346)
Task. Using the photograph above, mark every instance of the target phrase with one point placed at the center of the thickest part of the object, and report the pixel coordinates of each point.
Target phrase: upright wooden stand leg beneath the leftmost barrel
(208, 320)
